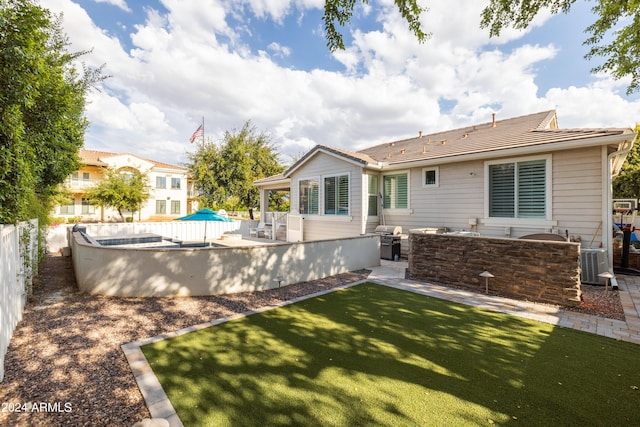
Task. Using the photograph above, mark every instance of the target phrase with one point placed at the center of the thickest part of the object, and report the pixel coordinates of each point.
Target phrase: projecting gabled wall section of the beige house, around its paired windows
(323, 226)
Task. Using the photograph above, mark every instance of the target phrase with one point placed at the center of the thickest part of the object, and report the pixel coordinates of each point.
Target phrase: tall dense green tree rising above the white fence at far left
(42, 100)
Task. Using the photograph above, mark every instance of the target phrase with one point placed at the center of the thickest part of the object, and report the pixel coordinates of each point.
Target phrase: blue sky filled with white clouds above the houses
(173, 63)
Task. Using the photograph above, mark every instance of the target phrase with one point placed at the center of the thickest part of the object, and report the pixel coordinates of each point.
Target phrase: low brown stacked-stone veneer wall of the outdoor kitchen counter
(540, 271)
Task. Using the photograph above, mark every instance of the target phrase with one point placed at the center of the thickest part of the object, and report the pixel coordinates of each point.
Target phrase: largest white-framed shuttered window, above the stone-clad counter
(518, 189)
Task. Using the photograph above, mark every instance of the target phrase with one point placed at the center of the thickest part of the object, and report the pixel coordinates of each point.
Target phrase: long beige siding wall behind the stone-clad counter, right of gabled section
(458, 200)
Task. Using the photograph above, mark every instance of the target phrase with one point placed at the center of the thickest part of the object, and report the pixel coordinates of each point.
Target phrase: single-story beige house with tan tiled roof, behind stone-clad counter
(502, 178)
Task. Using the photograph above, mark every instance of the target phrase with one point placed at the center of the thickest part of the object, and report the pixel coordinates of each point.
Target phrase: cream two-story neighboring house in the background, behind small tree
(168, 186)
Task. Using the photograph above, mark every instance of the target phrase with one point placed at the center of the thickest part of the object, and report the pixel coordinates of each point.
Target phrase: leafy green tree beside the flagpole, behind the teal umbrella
(224, 173)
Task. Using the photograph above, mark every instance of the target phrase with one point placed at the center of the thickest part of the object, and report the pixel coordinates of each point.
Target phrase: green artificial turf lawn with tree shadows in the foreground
(373, 355)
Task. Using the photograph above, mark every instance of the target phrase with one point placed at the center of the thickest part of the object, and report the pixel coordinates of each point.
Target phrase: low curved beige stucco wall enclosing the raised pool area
(131, 272)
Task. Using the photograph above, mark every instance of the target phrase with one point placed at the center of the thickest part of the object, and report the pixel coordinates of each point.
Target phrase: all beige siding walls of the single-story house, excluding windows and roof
(457, 202)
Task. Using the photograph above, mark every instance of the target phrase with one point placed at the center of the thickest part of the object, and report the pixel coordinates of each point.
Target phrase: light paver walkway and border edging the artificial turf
(392, 274)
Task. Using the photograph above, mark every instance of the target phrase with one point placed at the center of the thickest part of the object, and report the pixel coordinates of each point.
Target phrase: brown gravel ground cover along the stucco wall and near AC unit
(65, 366)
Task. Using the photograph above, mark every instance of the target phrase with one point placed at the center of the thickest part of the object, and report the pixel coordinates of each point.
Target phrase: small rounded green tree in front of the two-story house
(123, 191)
